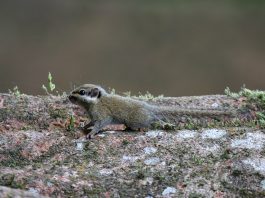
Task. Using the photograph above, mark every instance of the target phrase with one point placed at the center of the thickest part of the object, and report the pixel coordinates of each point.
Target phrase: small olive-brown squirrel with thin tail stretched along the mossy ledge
(105, 109)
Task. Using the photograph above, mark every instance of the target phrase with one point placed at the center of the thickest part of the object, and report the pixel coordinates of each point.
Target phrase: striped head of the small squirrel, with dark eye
(86, 94)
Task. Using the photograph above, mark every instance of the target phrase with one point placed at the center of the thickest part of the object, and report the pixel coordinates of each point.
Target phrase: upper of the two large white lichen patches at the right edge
(251, 141)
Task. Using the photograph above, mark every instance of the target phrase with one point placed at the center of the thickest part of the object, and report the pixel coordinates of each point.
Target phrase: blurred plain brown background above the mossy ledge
(165, 47)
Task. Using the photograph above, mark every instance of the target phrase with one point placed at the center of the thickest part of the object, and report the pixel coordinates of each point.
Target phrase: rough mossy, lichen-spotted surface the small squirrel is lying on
(43, 152)
